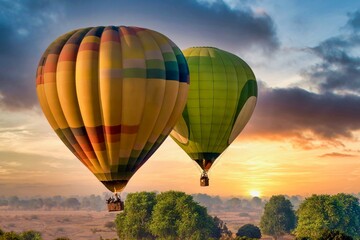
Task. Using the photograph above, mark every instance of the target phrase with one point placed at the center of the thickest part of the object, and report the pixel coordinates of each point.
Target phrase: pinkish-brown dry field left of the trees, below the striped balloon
(77, 225)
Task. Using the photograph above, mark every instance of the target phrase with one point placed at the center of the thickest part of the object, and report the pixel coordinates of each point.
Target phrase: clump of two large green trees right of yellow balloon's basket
(169, 215)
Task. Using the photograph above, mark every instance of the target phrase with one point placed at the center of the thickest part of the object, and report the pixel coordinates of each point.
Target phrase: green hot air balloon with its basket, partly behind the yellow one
(222, 97)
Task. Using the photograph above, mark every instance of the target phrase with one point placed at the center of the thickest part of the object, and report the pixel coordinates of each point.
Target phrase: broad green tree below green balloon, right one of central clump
(177, 216)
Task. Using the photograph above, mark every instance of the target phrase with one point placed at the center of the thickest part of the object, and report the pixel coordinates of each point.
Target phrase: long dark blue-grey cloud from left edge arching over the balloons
(28, 27)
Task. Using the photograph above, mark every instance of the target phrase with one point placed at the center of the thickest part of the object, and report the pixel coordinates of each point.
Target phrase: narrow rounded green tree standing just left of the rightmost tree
(278, 218)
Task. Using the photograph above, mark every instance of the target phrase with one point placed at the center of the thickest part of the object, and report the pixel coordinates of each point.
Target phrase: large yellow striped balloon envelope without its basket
(112, 95)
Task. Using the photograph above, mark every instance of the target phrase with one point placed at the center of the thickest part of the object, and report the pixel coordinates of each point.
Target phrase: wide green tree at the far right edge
(324, 212)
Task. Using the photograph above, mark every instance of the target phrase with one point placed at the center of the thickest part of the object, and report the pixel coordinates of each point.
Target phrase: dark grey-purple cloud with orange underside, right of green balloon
(303, 116)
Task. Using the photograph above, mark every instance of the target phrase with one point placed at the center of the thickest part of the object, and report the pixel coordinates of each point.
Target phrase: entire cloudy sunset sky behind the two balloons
(302, 139)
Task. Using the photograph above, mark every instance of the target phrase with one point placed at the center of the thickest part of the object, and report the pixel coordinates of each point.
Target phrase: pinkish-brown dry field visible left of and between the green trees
(90, 225)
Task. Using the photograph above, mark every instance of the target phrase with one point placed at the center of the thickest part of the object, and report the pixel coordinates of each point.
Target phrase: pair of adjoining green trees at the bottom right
(319, 217)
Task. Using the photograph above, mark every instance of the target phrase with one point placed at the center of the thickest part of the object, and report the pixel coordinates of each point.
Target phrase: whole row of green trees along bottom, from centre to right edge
(175, 215)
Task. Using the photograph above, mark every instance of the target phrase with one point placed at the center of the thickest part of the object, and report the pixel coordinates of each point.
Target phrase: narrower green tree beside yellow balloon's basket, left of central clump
(134, 222)
